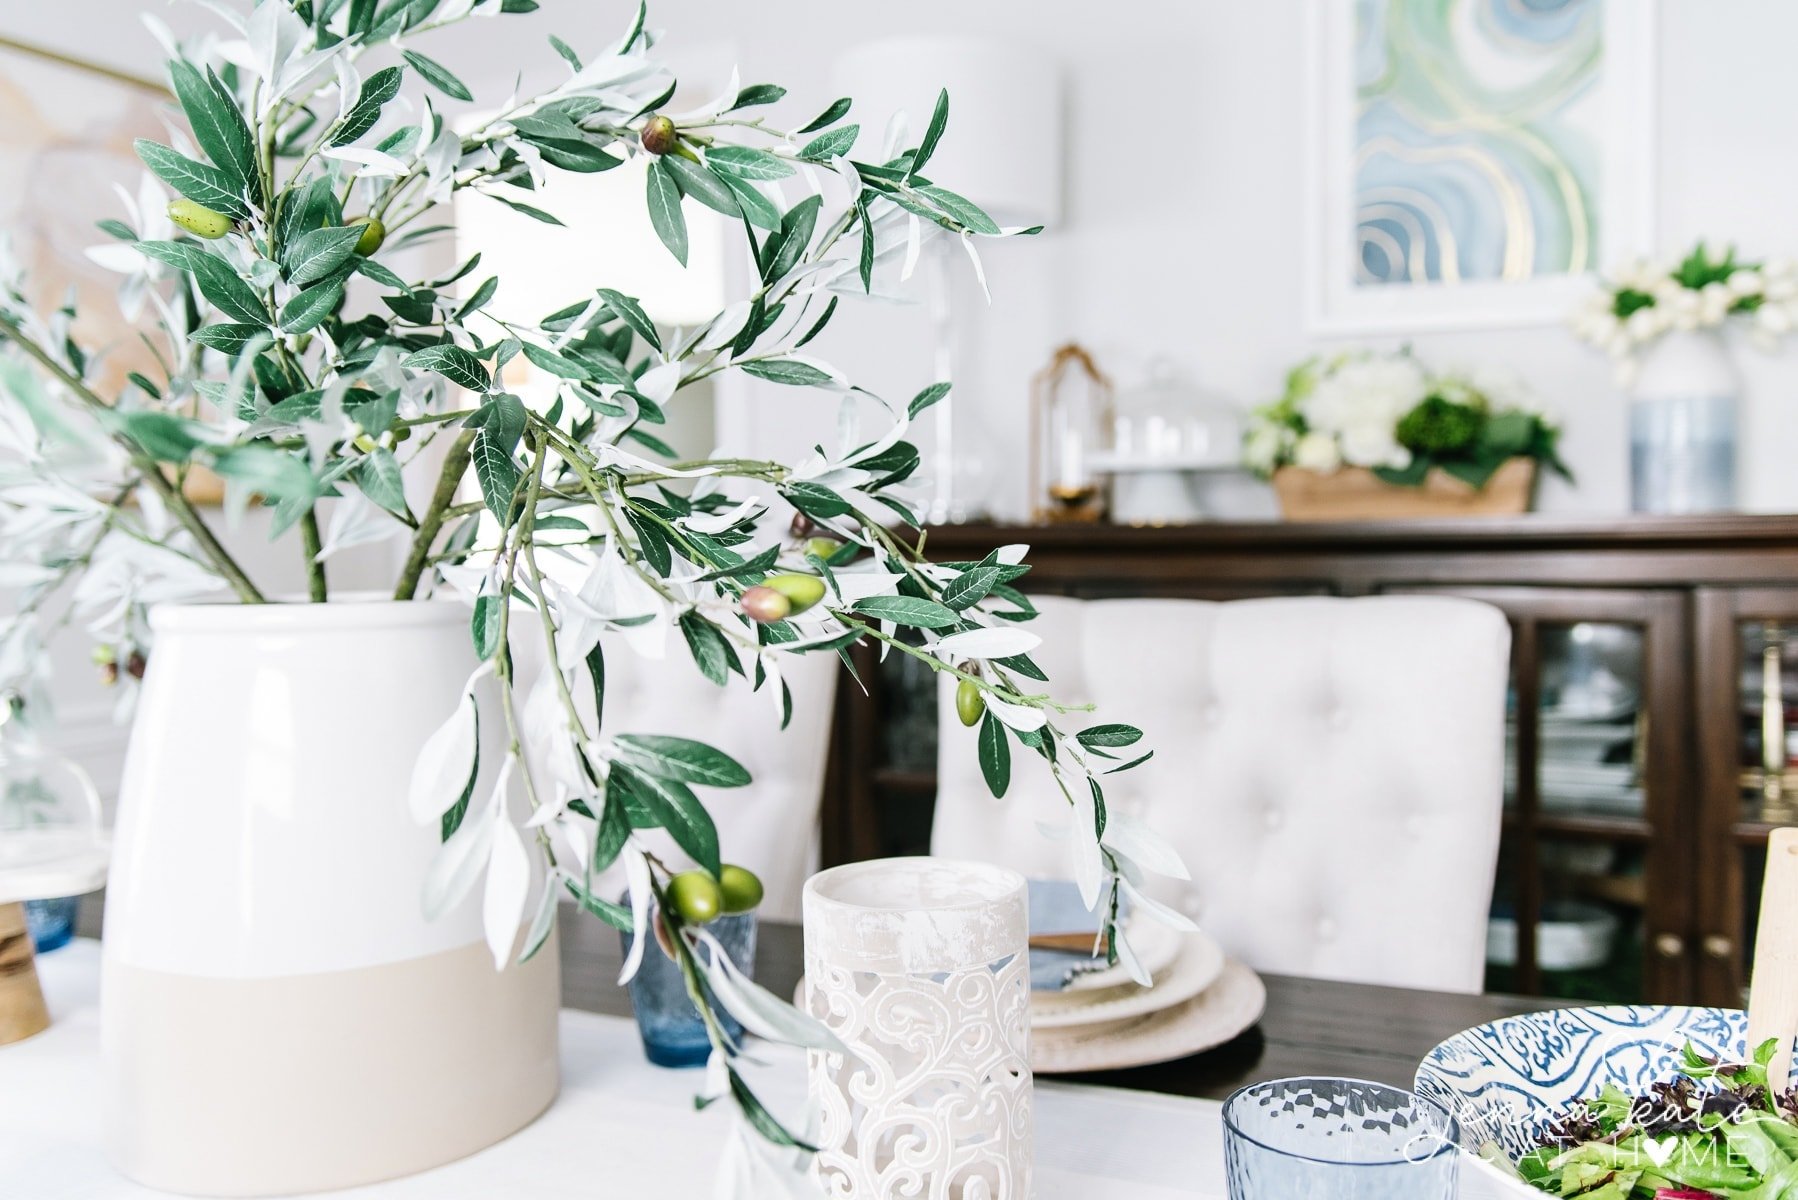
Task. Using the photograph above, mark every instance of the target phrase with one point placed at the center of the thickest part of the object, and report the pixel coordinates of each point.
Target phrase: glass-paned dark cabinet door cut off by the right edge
(1749, 672)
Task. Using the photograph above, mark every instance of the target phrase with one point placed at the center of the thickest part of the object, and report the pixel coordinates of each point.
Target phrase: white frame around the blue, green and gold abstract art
(1339, 307)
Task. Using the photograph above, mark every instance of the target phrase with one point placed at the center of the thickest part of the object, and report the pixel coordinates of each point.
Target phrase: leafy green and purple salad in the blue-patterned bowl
(1714, 1133)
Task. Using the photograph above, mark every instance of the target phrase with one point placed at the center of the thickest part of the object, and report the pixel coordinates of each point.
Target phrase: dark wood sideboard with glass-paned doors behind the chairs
(1653, 733)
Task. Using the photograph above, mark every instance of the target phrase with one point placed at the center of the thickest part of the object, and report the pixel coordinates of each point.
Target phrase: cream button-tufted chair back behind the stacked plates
(1330, 769)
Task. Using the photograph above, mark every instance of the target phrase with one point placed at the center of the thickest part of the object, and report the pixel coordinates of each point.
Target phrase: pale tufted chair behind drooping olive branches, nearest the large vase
(772, 825)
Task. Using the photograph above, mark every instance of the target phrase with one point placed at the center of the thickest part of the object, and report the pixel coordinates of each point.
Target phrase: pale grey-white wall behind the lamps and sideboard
(1186, 202)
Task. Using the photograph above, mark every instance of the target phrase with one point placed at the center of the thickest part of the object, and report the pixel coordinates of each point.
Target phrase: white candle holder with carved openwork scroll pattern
(920, 965)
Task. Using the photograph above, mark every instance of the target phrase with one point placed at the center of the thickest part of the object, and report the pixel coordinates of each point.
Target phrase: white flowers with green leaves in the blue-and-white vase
(1646, 301)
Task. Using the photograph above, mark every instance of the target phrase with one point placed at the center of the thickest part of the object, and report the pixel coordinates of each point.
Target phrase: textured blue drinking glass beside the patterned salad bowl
(1348, 1140)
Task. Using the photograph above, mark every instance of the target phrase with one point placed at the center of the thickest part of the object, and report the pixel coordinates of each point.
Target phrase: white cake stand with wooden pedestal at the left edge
(40, 864)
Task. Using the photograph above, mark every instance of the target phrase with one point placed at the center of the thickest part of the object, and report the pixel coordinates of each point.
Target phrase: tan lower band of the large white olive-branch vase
(251, 1088)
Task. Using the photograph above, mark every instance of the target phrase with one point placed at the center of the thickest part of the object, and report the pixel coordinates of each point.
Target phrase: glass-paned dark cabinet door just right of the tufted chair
(1581, 904)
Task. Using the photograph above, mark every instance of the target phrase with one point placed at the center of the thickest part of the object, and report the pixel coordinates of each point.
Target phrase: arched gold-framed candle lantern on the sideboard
(1071, 425)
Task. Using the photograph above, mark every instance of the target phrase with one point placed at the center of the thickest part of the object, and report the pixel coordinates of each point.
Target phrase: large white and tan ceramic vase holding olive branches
(278, 1014)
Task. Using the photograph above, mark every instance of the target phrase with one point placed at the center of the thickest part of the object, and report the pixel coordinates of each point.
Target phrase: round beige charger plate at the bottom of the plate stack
(1209, 1019)
